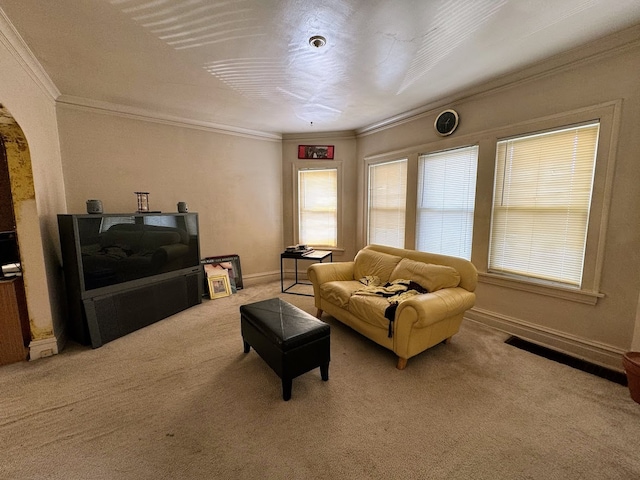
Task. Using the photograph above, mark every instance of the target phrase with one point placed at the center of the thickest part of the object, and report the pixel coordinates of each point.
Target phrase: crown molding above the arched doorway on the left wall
(14, 43)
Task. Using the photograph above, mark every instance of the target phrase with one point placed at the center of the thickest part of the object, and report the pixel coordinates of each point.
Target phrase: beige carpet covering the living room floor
(179, 399)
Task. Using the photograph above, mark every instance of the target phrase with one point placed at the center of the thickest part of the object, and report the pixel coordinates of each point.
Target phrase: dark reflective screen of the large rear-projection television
(117, 249)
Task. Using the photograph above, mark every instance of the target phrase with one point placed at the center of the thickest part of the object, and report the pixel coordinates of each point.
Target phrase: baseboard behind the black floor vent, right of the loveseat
(595, 352)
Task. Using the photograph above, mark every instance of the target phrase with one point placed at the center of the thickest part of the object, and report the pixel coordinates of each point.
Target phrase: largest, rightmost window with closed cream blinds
(542, 195)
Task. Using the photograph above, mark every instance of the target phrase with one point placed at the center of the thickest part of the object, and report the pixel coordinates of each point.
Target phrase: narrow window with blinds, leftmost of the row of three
(387, 203)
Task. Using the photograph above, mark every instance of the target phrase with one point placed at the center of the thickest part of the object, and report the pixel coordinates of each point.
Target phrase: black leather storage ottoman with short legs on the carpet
(291, 341)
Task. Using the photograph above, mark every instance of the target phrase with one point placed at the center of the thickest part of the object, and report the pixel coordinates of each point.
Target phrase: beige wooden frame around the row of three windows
(608, 113)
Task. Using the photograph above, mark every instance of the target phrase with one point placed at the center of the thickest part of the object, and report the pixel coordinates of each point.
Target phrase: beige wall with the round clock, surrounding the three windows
(600, 73)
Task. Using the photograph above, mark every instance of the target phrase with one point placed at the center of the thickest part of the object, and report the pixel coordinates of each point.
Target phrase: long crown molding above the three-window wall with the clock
(610, 45)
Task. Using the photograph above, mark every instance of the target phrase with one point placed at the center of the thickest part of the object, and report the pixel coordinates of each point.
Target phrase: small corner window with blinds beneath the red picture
(318, 207)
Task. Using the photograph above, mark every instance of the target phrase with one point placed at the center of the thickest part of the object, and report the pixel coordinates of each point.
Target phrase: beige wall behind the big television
(233, 182)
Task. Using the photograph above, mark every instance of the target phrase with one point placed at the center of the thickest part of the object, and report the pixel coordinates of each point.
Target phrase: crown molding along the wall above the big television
(97, 106)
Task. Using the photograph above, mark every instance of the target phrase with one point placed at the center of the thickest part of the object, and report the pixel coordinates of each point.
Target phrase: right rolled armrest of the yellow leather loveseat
(427, 309)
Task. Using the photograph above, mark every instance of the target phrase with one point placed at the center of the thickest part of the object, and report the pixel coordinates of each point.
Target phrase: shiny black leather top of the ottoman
(284, 324)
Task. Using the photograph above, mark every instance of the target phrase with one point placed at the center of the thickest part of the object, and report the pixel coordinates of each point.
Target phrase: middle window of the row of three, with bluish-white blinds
(446, 200)
